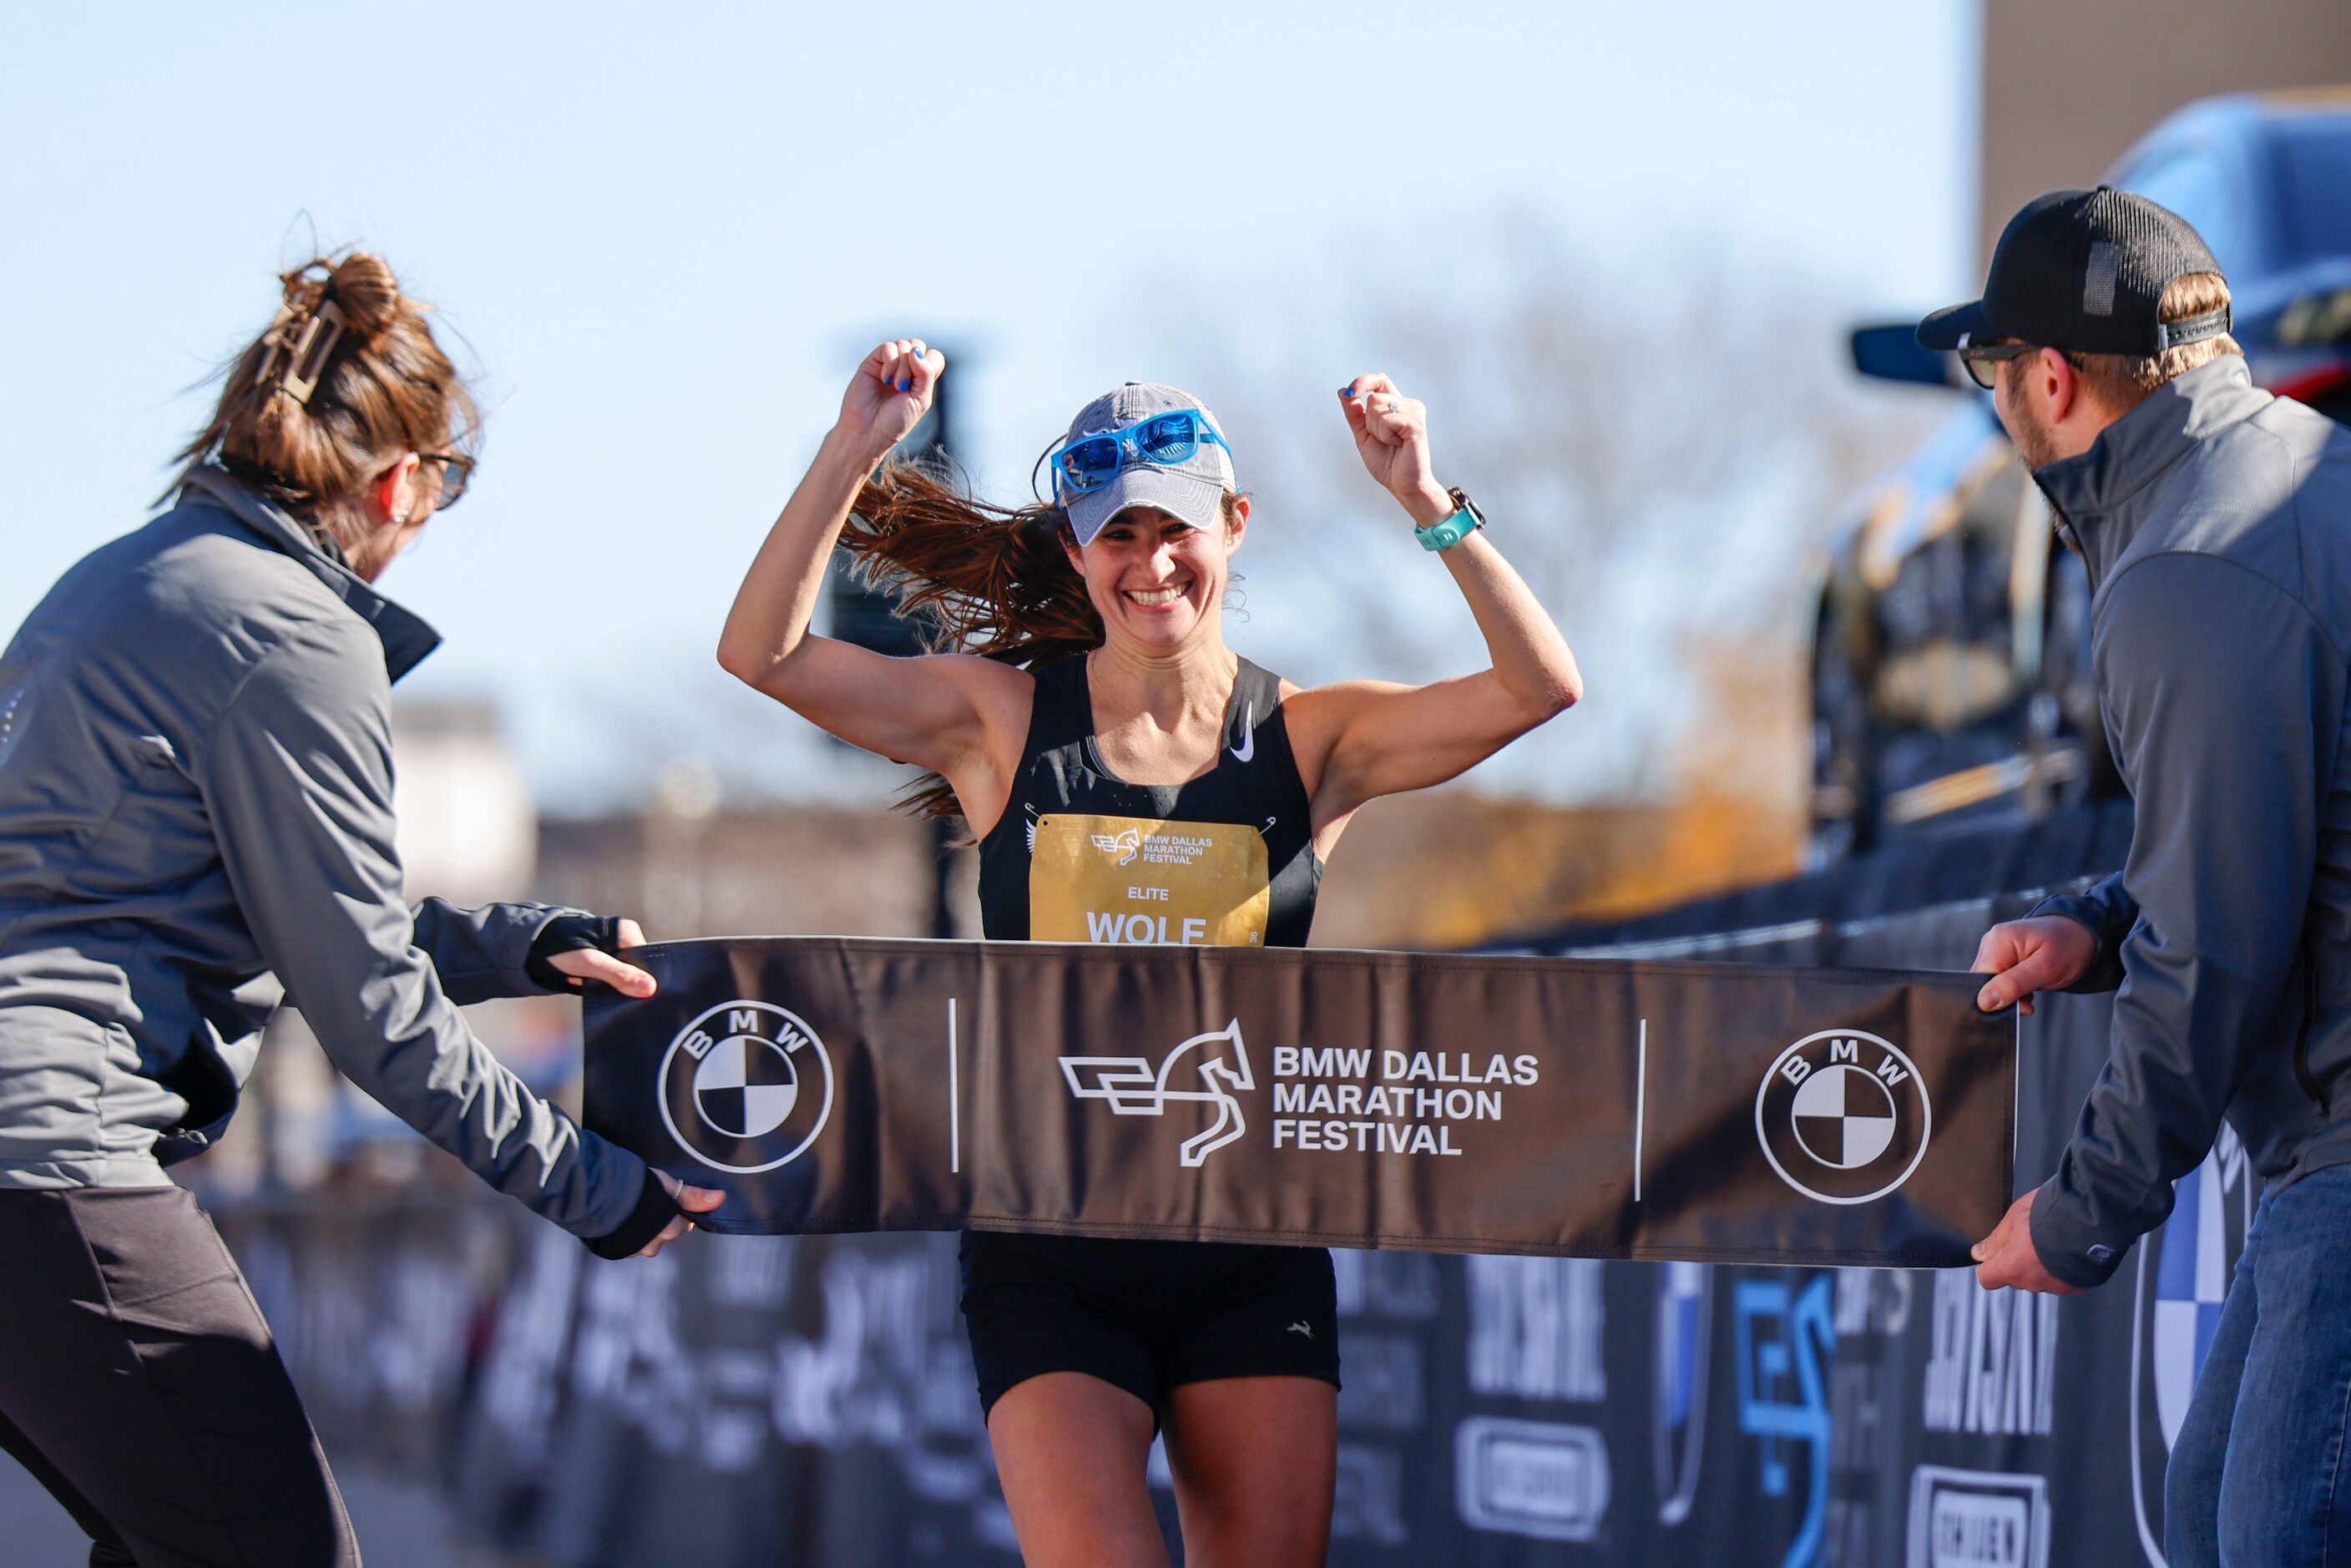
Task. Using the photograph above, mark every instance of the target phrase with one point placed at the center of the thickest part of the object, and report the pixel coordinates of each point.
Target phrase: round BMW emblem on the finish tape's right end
(1844, 1118)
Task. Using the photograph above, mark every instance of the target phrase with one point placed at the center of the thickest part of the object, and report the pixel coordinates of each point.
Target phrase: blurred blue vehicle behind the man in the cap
(1953, 643)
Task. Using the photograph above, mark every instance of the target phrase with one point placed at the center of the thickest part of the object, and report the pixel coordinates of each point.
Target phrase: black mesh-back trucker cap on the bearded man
(2084, 272)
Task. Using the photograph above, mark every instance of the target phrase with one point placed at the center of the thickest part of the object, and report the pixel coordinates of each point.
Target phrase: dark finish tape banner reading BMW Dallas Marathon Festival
(1459, 1104)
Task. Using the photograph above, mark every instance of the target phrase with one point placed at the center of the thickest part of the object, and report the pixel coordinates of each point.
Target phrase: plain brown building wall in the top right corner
(2070, 86)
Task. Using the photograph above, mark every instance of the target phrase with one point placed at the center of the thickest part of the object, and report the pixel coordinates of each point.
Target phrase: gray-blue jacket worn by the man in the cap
(2216, 523)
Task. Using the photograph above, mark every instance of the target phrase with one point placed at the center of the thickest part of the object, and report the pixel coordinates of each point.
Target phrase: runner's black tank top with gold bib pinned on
(1083, 857)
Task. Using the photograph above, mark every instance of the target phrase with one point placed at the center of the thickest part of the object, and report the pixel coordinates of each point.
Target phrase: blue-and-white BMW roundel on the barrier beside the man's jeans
(2183, 1280)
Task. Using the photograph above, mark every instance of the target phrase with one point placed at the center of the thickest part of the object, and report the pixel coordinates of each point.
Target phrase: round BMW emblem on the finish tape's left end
(746, 1087)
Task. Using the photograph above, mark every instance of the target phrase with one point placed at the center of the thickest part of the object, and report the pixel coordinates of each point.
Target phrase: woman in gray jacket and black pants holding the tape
(196, 819)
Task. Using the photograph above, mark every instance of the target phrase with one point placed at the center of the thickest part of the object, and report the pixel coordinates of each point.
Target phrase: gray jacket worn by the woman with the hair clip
(196, 779)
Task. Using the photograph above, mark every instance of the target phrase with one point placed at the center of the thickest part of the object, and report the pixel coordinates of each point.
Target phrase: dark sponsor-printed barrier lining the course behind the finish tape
(758, 1402)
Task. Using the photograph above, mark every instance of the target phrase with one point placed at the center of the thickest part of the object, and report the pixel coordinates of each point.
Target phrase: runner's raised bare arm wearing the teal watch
(1369, 739)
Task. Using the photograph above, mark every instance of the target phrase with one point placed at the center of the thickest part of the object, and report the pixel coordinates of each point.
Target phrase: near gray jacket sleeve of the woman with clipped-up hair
(300, 784)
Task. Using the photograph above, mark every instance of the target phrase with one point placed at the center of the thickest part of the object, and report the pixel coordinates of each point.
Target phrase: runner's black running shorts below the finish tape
(1146, 1315)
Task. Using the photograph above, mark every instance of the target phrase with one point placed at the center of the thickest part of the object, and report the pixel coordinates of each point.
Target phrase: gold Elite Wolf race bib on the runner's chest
(1137, 883)
